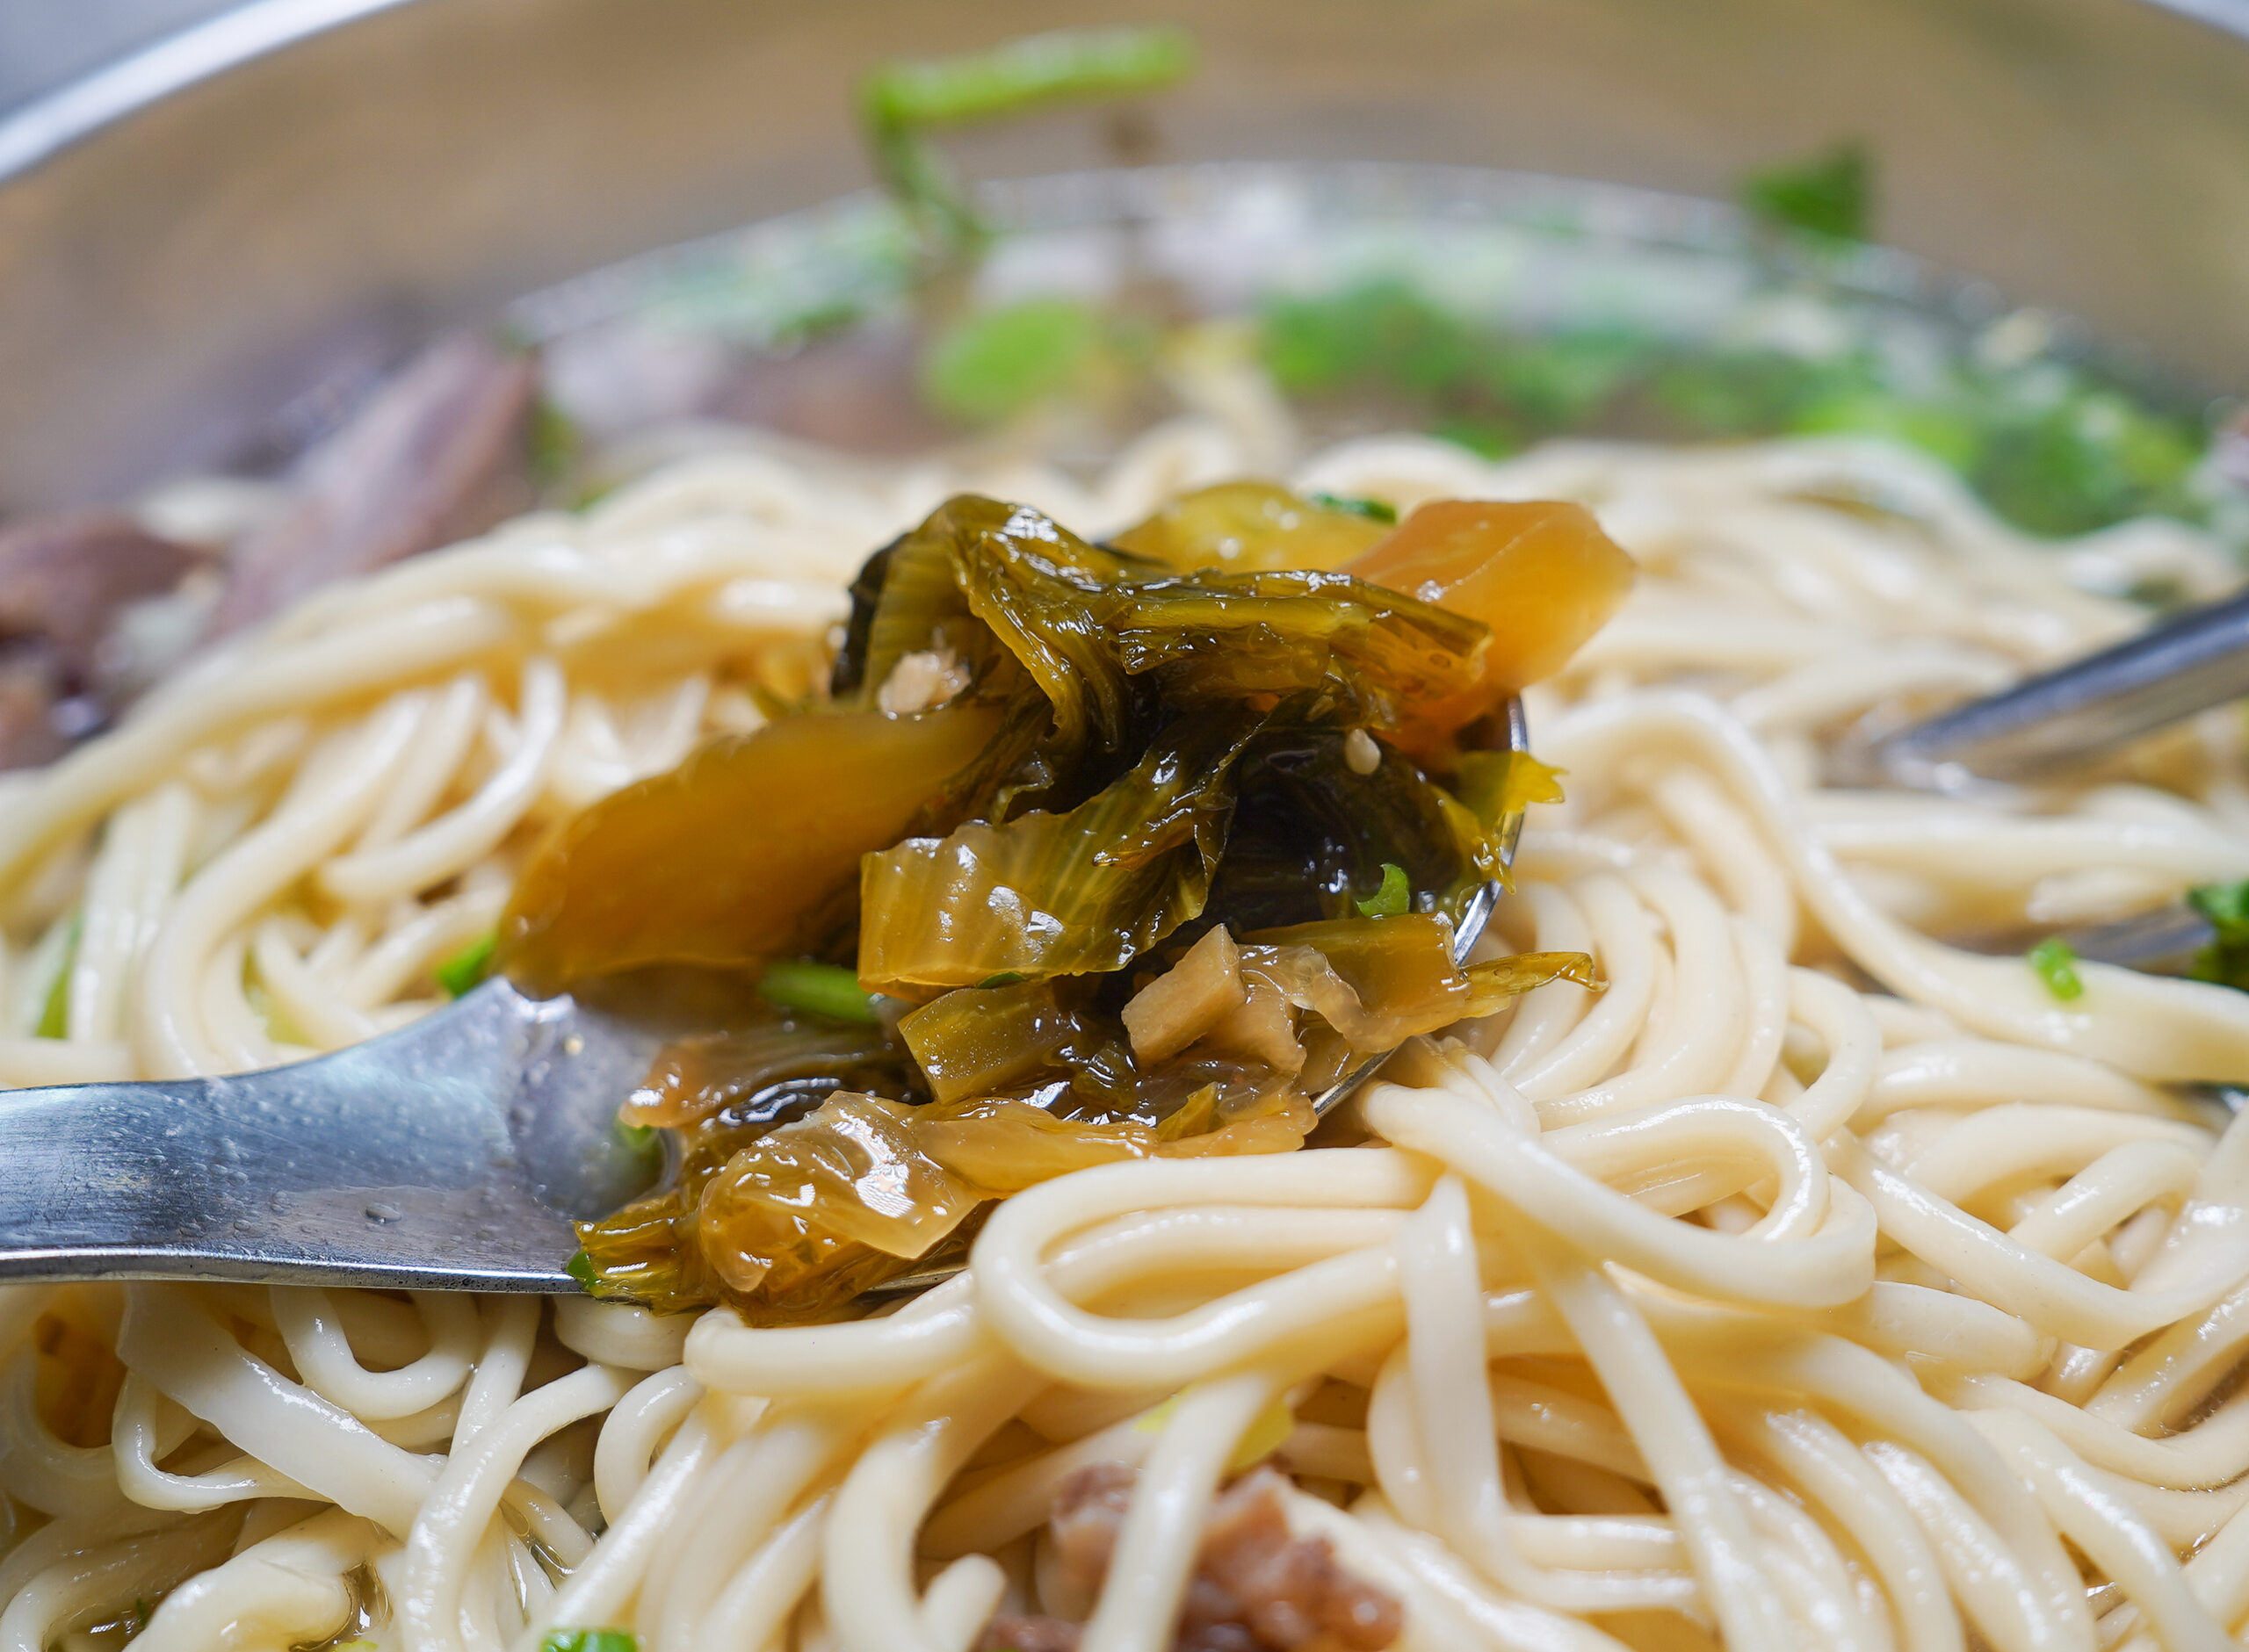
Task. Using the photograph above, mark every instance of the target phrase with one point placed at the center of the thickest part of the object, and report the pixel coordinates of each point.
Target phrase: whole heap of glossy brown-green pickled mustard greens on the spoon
(1130, 770)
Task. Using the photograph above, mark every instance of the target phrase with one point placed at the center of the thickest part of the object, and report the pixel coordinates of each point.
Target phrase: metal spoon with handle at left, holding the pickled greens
(446, 1156)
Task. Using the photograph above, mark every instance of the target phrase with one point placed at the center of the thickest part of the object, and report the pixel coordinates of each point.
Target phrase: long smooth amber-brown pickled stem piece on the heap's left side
(746, 853)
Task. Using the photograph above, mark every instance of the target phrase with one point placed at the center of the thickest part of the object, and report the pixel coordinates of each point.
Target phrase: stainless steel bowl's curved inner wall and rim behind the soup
(197, 237)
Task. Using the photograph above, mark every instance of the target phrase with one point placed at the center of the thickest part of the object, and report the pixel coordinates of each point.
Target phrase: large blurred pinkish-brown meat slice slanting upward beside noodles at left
(437, 455)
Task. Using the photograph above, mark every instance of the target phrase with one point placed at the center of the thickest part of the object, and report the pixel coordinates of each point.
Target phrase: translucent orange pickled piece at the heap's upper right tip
(1542, 577)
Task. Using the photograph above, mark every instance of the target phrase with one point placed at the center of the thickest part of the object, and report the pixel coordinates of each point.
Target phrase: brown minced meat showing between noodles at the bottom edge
(1256, 1586)
